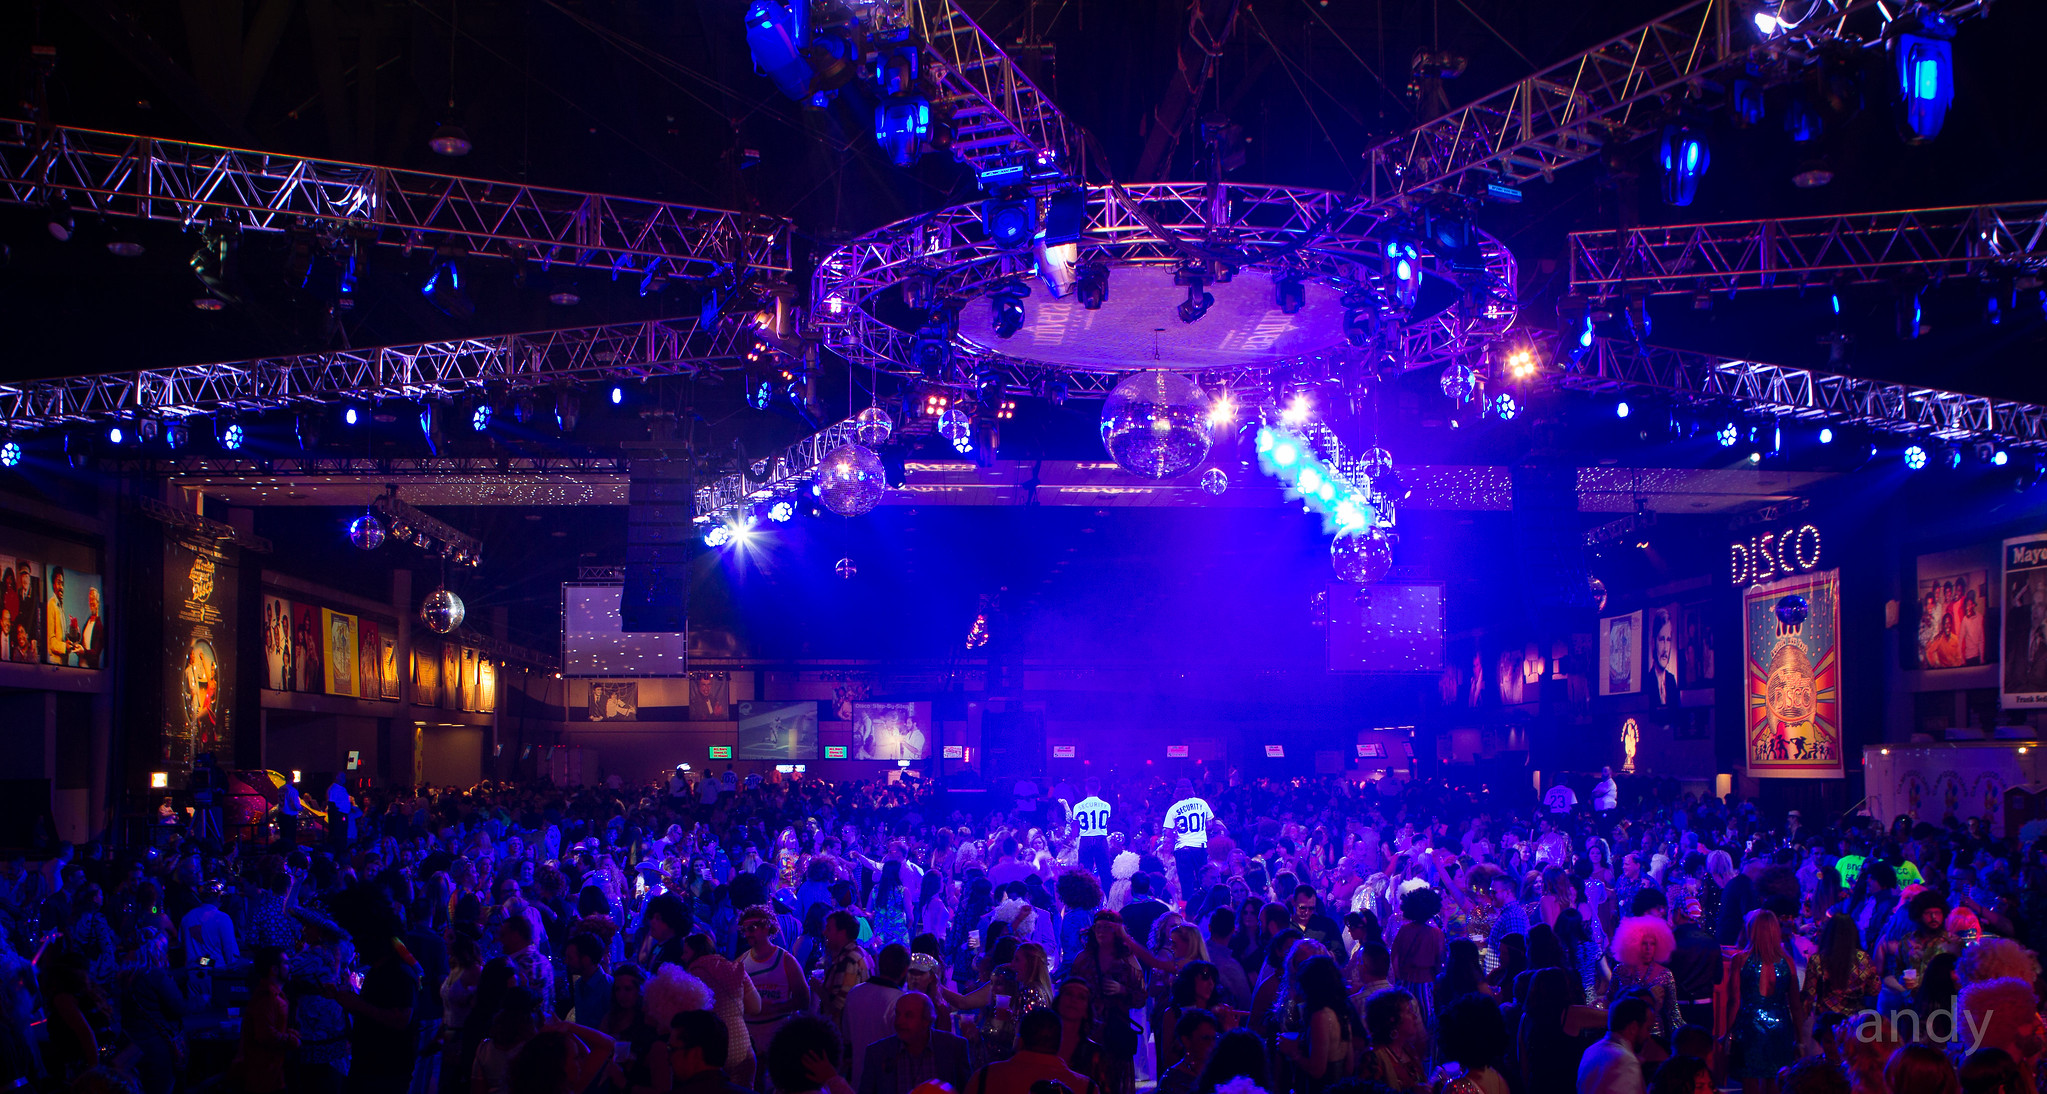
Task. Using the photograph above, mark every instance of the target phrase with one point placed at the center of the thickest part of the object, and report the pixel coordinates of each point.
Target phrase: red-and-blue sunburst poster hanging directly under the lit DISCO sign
(1794, 677)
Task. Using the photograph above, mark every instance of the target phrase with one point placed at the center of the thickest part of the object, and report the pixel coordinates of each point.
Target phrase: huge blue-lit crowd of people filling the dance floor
(793, 935)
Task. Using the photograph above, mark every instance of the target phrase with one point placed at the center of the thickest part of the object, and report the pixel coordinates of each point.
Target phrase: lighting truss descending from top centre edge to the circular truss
(998, 116)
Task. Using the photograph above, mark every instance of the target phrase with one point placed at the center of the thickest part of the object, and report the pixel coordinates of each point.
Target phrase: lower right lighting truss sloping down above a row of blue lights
(1901, 409)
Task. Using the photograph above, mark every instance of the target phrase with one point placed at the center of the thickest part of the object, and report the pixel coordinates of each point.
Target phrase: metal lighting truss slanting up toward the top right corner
(1614, 93)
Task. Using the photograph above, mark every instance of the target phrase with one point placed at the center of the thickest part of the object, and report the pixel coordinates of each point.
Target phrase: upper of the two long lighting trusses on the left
(126, 175)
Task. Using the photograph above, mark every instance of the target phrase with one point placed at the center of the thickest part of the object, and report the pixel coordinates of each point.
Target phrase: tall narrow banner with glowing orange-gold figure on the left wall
(200, 653)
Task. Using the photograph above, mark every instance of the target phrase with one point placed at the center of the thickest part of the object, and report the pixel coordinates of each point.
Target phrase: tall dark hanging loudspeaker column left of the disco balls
(660, 544)
